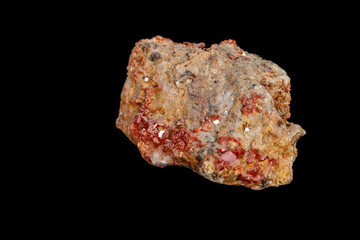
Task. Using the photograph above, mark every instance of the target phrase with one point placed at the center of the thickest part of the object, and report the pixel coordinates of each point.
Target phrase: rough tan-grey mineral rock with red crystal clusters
(220, 111)
